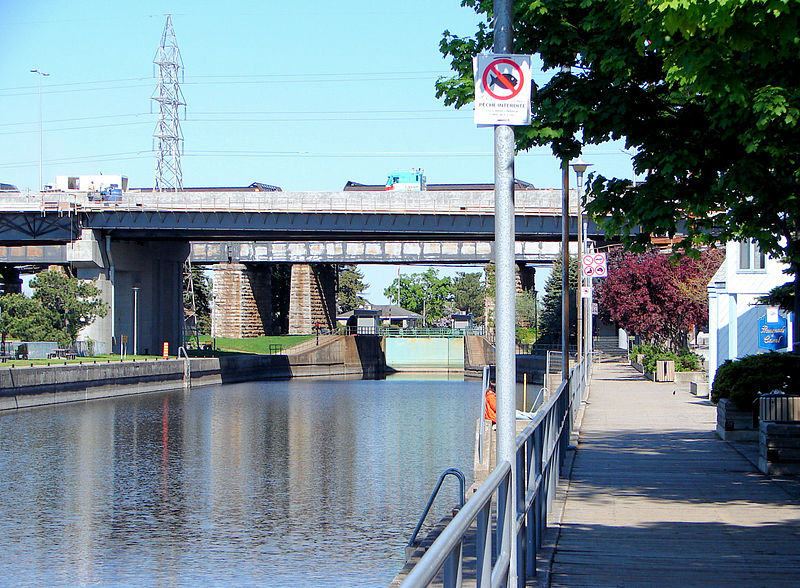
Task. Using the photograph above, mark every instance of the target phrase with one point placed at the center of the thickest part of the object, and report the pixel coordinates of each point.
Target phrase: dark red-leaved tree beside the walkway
(661, 300)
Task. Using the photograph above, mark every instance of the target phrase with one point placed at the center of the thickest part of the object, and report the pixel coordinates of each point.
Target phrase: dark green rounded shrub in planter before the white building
(744, 379)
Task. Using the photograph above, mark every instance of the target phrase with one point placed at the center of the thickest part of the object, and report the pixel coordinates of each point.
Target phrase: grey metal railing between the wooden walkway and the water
(541, 449)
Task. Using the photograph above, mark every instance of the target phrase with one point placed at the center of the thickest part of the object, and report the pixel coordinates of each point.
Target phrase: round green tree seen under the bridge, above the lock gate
(426, 294)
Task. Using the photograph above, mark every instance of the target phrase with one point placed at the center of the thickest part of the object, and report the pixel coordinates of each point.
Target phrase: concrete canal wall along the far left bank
(22, 387)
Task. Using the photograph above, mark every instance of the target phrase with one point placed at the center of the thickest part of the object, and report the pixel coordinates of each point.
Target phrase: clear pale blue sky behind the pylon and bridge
(303, 95)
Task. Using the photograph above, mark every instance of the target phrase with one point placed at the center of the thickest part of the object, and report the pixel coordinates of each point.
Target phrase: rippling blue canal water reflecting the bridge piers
(291, 483)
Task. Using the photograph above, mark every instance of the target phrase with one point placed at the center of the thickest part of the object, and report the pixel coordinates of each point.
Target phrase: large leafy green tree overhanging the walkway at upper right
(703, 92)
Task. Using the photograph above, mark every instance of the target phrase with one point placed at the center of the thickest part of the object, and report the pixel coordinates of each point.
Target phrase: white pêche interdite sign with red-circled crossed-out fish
(502, 89)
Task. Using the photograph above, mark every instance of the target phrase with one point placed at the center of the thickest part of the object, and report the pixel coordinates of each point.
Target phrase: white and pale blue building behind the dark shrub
(733, 313)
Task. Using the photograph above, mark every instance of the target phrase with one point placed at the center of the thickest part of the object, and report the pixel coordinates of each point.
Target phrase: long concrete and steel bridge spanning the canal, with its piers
(141, 242)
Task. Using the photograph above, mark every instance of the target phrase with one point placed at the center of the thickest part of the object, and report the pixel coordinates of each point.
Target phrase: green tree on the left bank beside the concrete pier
(59, 308)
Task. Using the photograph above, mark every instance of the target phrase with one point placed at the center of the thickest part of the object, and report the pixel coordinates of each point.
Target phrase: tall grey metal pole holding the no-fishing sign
(505, 288)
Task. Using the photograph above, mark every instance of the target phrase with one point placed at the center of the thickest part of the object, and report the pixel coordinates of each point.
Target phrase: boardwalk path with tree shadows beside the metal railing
(656, 499)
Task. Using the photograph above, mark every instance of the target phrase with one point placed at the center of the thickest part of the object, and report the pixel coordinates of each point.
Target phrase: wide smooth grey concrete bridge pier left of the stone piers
(155, 309)
